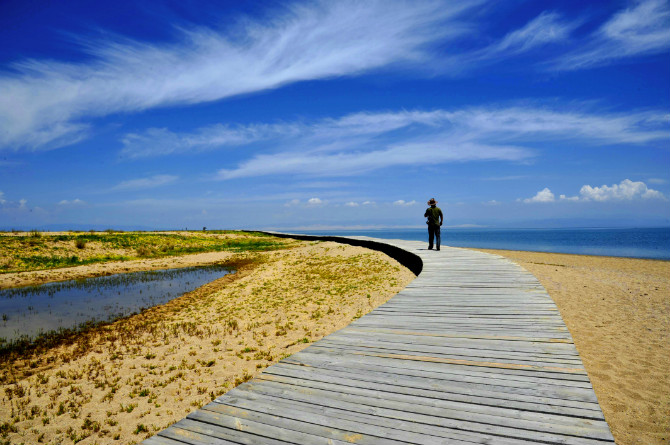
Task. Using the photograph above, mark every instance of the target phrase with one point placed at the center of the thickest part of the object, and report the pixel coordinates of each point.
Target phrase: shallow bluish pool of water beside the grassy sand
(31, 310)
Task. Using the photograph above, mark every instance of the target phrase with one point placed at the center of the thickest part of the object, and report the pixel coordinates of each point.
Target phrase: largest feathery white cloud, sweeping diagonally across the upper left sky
(46, 104)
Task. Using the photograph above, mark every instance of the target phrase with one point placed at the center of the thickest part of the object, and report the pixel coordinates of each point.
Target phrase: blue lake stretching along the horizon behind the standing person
(652, 243)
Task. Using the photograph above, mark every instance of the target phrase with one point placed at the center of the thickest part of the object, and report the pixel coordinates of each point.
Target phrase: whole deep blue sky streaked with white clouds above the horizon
(334, 113)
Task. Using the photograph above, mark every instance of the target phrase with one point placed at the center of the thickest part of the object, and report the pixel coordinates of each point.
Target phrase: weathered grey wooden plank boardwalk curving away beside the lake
(473, 351)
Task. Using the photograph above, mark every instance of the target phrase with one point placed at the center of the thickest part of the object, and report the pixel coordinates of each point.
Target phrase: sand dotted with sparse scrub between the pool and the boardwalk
(123, 383)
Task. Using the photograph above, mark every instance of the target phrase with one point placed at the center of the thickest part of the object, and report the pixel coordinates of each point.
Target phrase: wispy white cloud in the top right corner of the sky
(643, 29)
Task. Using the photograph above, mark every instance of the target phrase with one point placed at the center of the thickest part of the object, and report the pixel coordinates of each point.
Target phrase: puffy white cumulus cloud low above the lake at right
(627, 190)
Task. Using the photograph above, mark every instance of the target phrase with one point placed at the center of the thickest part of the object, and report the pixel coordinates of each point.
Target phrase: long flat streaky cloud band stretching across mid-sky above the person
(362, 142)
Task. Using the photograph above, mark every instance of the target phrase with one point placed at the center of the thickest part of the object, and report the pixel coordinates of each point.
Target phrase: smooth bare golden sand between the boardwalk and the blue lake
(618, 312)
